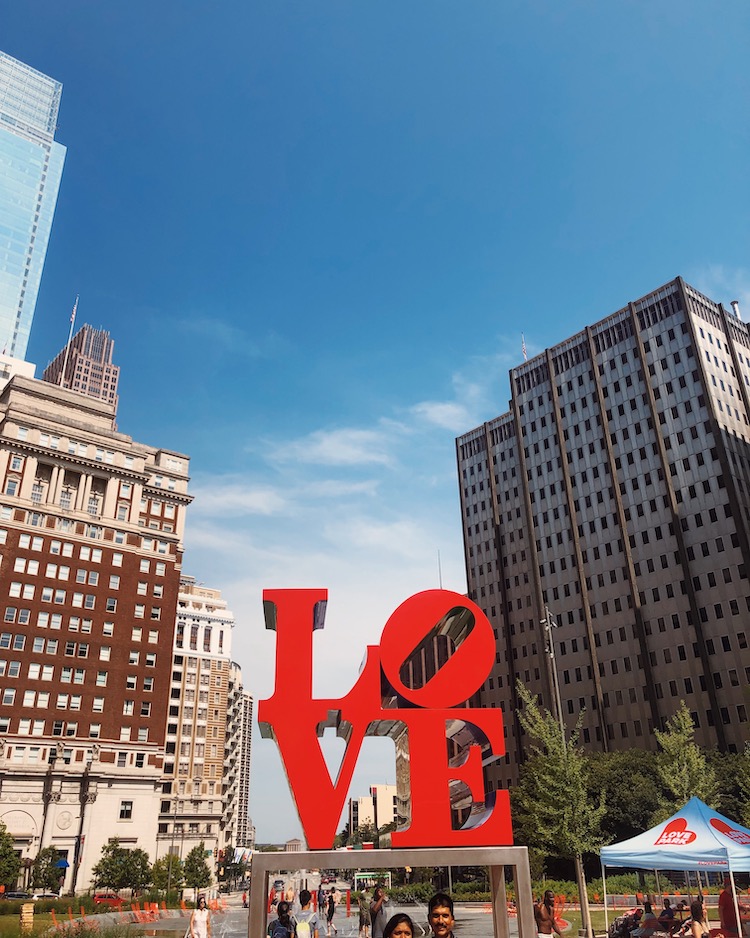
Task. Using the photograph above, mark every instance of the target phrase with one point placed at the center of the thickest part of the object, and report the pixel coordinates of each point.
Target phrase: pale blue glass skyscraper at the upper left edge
(31, 164)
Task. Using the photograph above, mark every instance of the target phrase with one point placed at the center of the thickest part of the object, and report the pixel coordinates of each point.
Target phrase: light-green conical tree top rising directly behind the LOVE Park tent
(682, 768)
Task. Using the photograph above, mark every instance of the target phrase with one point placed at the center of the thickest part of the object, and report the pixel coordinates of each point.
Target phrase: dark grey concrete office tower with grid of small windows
(616, 495)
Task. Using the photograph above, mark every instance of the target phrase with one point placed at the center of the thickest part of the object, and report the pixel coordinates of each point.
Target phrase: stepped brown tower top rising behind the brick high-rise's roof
(85, 366)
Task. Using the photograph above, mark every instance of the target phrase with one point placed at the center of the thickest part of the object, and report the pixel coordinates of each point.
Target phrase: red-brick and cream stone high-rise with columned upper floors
(91, 527)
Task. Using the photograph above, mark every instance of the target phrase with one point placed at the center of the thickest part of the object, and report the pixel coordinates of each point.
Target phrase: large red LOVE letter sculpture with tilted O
(393, 694)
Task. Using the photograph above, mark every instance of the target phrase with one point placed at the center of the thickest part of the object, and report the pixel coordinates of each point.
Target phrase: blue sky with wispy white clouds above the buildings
(316, 231)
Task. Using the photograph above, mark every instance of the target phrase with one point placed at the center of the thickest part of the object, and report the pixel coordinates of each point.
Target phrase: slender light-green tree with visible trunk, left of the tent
(558, 812)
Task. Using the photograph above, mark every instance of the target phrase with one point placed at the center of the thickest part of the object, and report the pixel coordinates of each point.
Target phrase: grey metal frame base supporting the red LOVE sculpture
(495, 858)
